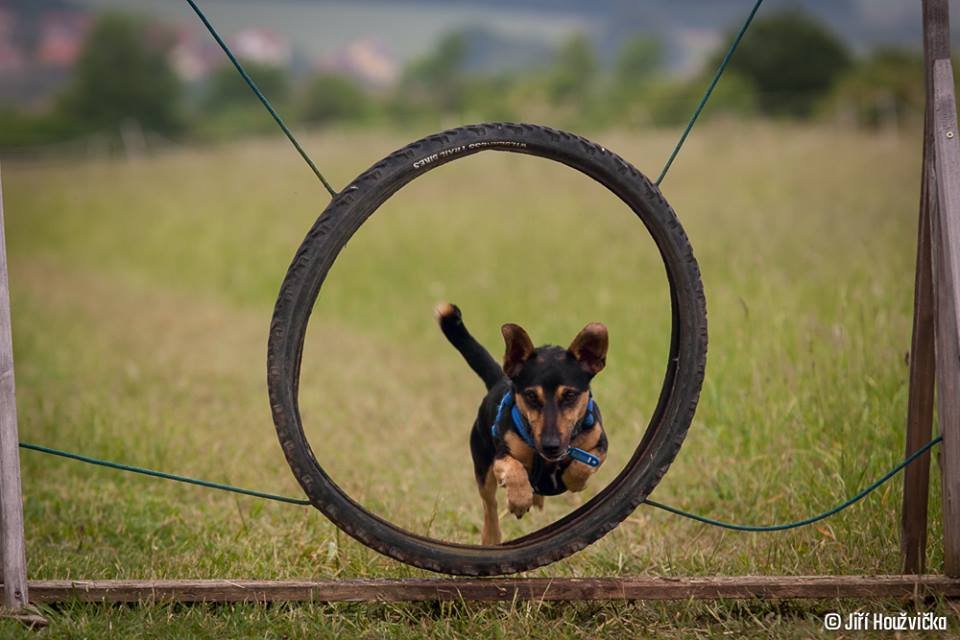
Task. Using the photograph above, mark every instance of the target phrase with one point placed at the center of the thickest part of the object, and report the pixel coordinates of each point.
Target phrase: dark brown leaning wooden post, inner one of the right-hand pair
(916, 478)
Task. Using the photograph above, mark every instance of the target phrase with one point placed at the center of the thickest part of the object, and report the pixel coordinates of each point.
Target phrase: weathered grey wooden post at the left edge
(12, 549)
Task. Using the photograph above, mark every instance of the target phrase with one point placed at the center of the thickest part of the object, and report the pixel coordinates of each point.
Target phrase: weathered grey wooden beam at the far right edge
(946, 248)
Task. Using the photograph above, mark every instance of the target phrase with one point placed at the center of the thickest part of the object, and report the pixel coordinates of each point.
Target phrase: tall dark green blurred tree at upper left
(122, 74)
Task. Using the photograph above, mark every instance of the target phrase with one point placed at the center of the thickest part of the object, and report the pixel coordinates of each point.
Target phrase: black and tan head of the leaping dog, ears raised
(552, 384)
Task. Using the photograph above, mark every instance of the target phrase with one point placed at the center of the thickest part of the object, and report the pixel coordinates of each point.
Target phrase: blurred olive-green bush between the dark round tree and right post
(887, 88)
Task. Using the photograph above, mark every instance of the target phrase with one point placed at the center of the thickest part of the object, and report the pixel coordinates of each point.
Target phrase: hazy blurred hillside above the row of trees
(523, 28)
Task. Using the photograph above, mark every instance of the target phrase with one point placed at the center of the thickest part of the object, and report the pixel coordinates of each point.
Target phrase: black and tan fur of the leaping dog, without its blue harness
(551, 386)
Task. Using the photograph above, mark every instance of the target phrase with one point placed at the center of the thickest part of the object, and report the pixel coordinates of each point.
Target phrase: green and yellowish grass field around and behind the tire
(142, 294)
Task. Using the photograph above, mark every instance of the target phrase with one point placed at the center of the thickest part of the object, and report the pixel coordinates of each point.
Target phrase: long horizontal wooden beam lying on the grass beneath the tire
(451, 589)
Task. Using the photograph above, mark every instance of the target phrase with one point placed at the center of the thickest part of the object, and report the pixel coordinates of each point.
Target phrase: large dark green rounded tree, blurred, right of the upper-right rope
(793, 60)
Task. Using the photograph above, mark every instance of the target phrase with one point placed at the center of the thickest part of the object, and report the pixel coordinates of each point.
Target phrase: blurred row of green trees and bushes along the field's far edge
(788, 64)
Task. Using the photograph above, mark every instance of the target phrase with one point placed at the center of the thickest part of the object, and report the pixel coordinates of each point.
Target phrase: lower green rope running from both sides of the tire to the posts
(300, 501)
